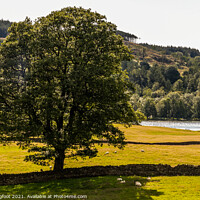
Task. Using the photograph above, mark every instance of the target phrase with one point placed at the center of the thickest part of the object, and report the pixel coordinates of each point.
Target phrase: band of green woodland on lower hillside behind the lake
(162, 92)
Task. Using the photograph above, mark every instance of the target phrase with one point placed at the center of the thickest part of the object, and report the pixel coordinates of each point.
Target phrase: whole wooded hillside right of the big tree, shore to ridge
(165, 90)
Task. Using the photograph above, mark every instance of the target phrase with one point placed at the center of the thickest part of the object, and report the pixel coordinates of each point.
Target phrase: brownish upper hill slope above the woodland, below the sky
(158, 55)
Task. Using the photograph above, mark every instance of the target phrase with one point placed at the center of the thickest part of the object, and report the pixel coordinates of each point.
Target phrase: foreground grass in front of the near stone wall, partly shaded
(108, 188)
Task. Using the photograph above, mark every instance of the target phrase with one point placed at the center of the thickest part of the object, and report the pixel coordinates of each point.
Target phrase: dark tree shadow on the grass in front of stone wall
(96, 188)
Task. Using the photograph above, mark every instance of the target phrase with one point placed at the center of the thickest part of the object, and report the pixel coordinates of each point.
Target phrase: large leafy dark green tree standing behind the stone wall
(61, 81)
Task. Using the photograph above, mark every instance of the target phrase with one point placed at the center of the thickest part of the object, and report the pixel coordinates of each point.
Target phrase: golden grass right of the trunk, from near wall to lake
(153, 154)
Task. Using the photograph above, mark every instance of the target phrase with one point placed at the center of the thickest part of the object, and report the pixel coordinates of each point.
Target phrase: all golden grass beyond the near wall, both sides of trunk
(12, 158)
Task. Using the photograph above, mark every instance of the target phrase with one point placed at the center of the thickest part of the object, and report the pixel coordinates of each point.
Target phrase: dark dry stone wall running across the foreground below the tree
(122, 170)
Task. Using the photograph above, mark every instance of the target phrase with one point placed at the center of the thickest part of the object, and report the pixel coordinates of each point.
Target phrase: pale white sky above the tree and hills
(161, 22)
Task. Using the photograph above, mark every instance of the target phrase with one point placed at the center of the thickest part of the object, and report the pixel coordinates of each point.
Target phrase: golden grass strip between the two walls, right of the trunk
(132, 154)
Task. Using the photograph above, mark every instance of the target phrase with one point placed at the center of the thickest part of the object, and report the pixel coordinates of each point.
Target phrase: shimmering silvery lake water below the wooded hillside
(186, 125)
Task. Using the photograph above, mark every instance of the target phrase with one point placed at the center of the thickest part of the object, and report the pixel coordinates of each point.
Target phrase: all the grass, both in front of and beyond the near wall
(109, 188)
